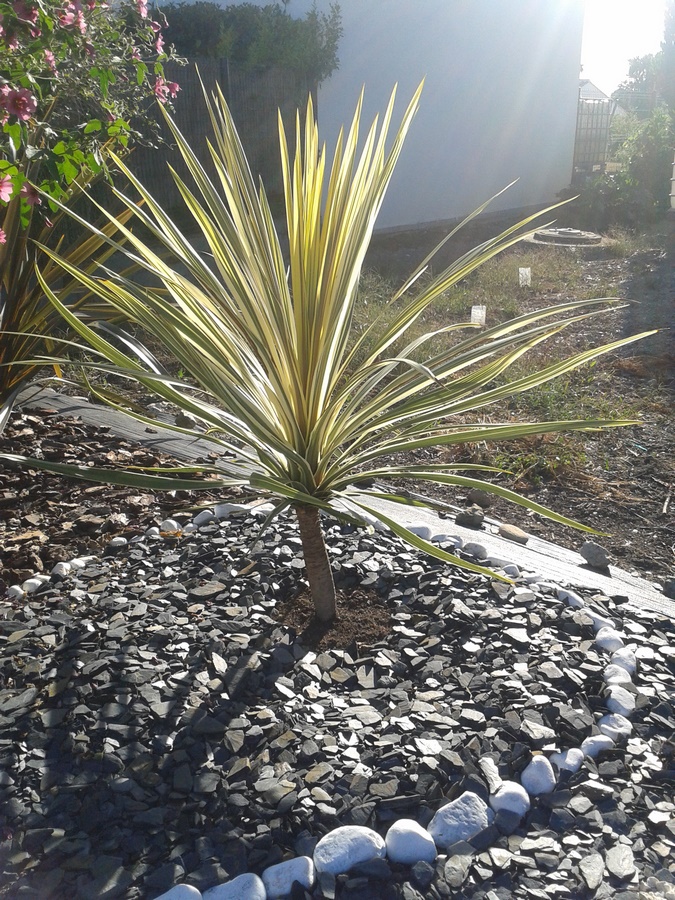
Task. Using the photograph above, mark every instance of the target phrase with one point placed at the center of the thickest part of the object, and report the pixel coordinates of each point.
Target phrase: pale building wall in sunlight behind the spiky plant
(499, 101)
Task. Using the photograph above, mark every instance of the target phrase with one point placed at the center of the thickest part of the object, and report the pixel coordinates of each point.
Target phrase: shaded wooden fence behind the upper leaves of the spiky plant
(254, 99)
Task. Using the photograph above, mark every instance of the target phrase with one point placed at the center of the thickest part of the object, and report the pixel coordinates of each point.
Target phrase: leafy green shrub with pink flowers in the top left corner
(73, 76)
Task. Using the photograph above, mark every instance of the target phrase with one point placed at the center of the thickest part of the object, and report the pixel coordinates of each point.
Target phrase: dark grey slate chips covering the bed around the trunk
(164, 719)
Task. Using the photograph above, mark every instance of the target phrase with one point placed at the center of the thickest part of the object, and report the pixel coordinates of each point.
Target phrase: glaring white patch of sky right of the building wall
(616, 31)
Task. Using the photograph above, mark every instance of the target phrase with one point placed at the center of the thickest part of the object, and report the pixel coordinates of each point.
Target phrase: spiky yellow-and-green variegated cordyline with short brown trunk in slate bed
(311, 415)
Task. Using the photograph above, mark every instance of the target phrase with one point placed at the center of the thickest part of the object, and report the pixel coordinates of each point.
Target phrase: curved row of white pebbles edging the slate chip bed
(407, 842)
